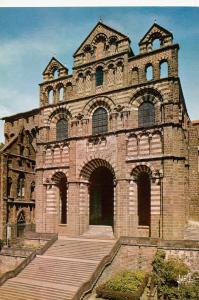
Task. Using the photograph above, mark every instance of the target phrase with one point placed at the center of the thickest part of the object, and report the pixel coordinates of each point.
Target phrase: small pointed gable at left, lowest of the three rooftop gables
(54, 65)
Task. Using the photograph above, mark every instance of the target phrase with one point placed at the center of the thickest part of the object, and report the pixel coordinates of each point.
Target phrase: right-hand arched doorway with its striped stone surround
(144, 201)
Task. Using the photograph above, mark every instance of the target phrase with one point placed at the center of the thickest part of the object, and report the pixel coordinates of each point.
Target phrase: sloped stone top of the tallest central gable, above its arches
(100, 27)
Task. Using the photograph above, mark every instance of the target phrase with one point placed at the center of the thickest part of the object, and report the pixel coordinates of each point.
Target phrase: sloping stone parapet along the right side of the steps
(88, 286)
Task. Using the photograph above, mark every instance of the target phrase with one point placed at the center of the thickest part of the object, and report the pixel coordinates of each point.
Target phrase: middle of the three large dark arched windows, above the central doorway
(100, 121)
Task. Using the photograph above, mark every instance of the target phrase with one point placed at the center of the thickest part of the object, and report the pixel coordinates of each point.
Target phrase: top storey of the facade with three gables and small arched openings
(105, 62)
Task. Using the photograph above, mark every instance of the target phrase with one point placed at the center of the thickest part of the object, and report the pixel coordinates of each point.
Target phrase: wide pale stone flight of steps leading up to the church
(58, 274)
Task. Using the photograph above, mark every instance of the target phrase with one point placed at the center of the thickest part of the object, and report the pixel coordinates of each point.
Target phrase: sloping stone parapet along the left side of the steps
(26, 261)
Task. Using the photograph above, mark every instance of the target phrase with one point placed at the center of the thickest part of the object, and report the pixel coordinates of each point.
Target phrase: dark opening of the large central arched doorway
(101, 197)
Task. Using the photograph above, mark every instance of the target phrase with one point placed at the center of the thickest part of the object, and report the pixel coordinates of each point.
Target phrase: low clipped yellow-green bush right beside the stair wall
(124, 285)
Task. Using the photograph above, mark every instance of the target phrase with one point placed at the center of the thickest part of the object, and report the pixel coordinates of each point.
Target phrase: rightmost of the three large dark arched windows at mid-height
(146, 114)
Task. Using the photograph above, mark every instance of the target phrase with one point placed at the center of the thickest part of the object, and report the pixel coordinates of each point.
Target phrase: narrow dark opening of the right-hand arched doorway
(144, 199)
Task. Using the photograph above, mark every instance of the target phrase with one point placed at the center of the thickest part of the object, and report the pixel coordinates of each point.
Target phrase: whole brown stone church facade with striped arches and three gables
(113, 143)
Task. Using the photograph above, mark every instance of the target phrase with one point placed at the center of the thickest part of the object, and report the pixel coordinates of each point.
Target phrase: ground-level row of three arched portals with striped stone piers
(131, 205)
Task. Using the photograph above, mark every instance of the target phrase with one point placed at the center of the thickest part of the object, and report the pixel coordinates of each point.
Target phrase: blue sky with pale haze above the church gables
(29, 37)
